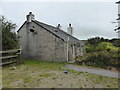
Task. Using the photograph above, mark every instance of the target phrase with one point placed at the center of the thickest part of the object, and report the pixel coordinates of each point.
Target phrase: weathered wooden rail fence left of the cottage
(10, 56)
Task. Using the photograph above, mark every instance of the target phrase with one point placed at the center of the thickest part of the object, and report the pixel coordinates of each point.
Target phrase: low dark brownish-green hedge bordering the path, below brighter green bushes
(102, 59)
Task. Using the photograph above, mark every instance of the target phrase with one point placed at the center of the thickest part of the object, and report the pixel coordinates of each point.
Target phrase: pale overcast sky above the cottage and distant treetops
(88, 19)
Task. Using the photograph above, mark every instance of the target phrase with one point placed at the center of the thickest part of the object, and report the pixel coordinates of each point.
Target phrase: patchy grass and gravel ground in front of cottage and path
(36, 74)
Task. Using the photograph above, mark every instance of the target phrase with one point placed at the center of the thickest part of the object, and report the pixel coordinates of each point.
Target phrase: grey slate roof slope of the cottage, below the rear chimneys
(58, 32)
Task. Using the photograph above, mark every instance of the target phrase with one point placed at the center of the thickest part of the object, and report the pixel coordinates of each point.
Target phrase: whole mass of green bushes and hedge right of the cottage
(101, 54)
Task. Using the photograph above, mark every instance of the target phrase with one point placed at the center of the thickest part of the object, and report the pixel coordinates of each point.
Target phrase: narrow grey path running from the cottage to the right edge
(102, 72)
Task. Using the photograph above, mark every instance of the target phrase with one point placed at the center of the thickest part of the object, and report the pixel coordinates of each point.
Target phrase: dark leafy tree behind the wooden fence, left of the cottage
(9, 37)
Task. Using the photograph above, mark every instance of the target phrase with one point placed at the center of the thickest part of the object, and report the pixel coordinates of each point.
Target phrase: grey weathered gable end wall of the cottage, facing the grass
(43, 45)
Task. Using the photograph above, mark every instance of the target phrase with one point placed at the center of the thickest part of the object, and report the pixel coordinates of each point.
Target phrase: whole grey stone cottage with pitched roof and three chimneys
(48, 43)
